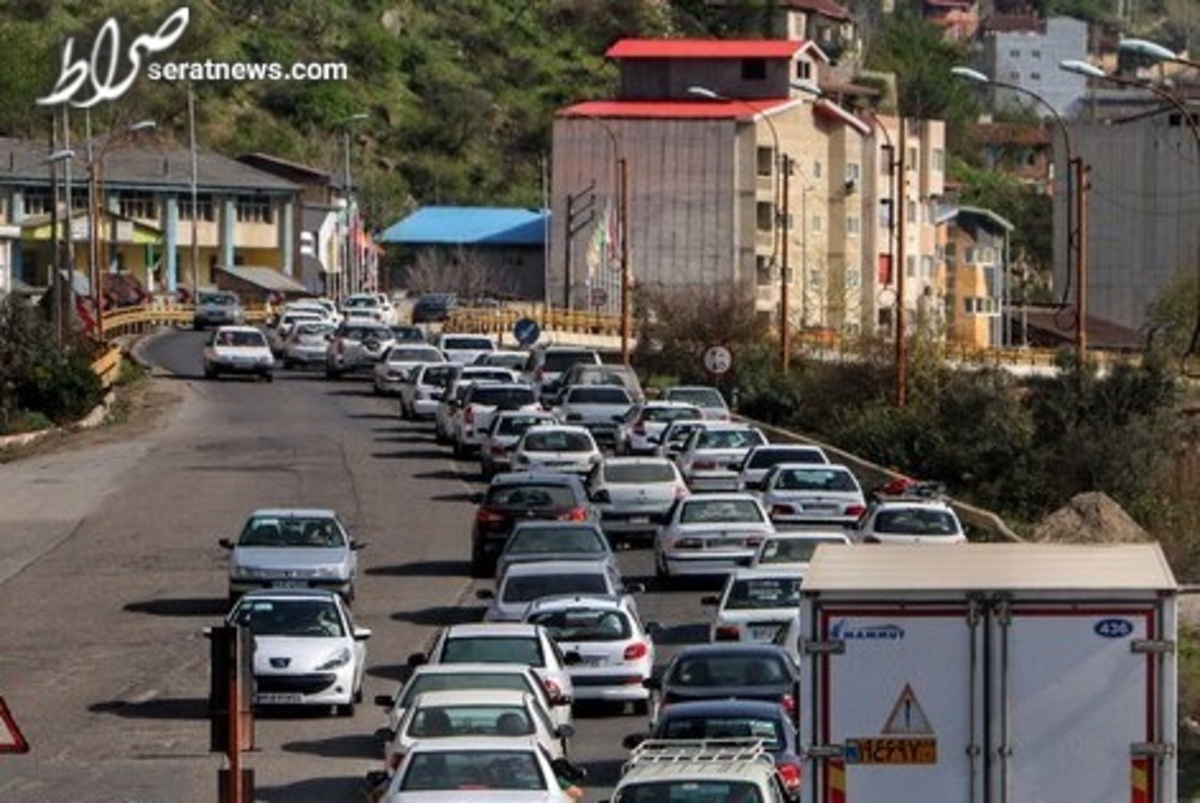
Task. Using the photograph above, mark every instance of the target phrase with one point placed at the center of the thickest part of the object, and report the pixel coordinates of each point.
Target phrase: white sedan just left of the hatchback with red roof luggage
(813, 494)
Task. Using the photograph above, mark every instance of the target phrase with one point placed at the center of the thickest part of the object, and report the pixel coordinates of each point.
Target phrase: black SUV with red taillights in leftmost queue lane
(519, 496)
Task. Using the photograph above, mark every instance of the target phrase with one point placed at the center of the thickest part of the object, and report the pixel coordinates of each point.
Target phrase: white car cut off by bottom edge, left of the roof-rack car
(477, 770)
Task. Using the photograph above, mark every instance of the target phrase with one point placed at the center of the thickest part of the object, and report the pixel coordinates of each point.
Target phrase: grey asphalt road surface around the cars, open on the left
(110, 570)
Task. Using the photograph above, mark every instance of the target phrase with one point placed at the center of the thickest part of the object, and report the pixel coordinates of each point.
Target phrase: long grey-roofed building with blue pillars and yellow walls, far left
(145, 219)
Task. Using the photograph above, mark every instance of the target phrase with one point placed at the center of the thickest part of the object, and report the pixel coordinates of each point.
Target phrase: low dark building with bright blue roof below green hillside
(473, 251)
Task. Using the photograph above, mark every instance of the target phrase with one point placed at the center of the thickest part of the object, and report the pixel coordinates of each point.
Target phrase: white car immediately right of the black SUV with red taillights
(634, 495)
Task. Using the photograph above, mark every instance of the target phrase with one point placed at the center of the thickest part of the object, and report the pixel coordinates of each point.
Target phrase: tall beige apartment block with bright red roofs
(739, 177)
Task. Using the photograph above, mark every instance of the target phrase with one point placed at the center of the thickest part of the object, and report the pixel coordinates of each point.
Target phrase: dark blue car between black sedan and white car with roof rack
(734, 721)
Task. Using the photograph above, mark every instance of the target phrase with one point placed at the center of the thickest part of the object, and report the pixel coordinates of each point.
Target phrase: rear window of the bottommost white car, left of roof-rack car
(459, 770)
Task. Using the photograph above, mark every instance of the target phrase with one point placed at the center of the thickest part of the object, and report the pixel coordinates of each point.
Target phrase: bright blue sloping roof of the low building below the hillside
(469, 226)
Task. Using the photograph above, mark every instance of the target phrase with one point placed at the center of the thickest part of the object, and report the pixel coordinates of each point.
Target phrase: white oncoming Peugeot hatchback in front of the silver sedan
(308, 650)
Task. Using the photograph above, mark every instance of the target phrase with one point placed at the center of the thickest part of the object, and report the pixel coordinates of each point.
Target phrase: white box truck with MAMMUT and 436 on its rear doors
(989, 674)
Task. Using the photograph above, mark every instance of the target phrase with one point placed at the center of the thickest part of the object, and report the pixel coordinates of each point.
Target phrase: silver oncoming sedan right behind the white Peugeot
(293, 548)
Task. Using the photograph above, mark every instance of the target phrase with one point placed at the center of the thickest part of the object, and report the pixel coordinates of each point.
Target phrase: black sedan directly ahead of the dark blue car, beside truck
(724, 672)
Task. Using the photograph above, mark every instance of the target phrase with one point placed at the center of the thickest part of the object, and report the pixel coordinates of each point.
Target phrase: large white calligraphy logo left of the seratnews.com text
(106, 57)
